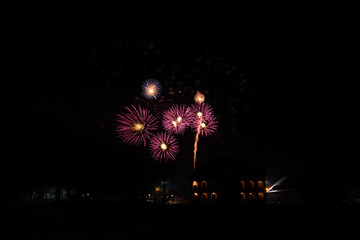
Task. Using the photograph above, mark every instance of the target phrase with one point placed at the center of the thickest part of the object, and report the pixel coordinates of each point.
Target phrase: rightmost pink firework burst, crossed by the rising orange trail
(203, 119)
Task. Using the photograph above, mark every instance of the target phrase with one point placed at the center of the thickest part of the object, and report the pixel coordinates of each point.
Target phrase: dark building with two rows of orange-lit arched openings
(228, 180)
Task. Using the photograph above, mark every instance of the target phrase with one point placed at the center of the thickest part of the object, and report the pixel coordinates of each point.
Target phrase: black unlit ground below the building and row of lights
(94, 221)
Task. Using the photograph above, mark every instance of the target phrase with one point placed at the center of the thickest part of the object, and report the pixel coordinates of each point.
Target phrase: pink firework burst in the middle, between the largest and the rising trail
(176, 119)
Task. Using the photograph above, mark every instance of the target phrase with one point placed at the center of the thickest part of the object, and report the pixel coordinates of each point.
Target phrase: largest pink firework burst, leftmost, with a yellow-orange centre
(136, 125)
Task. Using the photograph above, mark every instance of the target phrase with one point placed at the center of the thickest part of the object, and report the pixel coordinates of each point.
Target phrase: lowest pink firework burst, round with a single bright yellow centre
(164, 147)
